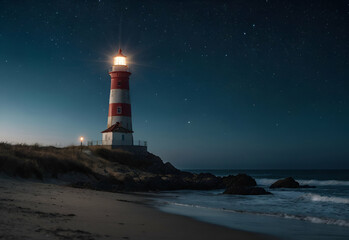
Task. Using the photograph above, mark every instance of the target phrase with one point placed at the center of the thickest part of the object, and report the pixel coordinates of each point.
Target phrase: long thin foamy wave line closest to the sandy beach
(312, 219)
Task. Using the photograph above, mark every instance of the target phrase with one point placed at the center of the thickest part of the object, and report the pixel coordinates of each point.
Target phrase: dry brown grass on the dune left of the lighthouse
(28, 161)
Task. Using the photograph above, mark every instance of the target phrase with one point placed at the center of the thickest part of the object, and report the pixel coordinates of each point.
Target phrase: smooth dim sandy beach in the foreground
(35, 210)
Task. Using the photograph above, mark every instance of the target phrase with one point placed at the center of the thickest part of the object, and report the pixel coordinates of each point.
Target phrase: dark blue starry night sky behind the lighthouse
(215, 84)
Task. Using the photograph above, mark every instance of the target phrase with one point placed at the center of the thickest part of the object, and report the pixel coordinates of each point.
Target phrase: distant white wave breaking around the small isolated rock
(312, 182)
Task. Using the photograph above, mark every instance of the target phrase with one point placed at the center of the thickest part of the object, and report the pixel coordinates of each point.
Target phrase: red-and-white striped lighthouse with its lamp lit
(119, 128)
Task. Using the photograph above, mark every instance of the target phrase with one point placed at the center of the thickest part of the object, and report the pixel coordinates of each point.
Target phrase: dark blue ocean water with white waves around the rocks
(308, 213)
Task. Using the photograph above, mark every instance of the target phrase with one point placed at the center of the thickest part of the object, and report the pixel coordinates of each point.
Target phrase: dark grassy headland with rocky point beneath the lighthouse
(111, 170)
